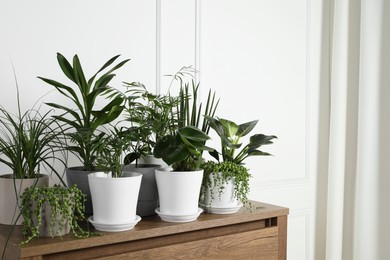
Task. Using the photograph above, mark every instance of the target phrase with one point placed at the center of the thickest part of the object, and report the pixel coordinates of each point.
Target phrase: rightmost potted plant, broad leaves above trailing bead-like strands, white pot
(225, 185)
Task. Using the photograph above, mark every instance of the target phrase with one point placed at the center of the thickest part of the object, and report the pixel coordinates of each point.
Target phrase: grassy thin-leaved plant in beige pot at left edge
(29, 145)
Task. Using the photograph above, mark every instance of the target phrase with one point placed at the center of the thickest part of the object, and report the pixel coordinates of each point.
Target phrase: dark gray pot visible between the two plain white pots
(148, 194)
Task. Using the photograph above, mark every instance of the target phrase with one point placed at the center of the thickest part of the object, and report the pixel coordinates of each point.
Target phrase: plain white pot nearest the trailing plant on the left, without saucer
(114, 200)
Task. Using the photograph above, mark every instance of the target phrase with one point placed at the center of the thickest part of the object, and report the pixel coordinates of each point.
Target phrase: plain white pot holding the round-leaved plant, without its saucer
(179, 191)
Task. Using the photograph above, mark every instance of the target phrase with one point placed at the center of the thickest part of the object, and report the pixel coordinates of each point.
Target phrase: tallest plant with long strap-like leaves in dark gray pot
(83, 118)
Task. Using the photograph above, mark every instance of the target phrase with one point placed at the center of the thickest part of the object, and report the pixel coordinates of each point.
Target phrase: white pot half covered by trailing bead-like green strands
(214, 197)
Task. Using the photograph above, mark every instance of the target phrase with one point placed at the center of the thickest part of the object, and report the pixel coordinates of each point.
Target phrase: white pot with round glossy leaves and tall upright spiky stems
(182, 149)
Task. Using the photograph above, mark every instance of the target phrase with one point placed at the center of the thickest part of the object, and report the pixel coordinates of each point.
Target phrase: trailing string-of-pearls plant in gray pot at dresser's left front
(52, 211)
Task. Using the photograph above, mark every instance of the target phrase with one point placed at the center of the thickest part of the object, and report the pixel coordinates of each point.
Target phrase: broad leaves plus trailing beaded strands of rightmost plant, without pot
(233, 155)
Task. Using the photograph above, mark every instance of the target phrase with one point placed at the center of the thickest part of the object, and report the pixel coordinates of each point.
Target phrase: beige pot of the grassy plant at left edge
(9, 209)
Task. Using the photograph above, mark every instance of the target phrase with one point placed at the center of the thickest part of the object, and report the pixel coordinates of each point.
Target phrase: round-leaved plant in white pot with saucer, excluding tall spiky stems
(179, 188)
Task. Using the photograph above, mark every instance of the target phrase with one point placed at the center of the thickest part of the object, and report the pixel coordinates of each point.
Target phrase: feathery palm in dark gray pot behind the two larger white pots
(148, 117)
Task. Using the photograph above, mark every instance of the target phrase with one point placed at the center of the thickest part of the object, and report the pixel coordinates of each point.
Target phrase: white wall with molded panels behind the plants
(261, 56)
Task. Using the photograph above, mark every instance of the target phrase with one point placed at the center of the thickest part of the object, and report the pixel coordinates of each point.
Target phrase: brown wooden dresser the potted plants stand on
(259, 233)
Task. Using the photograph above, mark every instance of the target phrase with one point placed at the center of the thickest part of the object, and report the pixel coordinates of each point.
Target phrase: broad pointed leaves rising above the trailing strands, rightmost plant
(231, 133)
